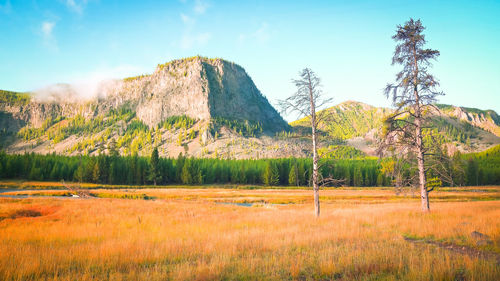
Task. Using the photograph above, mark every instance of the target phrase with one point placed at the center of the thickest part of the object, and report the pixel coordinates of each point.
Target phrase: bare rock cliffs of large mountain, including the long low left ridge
(197, 87)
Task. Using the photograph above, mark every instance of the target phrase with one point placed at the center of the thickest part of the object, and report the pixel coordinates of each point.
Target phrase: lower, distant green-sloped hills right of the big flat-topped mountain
(360, 125)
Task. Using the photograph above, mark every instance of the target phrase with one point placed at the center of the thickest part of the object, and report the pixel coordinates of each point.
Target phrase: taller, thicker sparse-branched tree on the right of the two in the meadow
(412, 94)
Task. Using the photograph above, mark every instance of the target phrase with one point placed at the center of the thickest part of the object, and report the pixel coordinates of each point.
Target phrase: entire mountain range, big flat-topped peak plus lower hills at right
(204, 108)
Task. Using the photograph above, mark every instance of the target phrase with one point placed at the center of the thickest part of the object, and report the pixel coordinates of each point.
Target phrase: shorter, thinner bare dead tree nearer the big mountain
(306, 101)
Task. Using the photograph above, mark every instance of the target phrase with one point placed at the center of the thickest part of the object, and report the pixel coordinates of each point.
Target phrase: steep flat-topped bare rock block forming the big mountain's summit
(199, 88)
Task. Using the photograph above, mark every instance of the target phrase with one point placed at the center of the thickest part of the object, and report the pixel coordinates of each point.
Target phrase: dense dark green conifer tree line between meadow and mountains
(467, 169)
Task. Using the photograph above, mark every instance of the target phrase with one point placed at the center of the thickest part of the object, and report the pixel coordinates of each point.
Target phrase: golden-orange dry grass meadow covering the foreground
(186, 234)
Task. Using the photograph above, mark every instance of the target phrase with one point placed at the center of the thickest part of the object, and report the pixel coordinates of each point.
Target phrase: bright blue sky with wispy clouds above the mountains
(347, 43)
